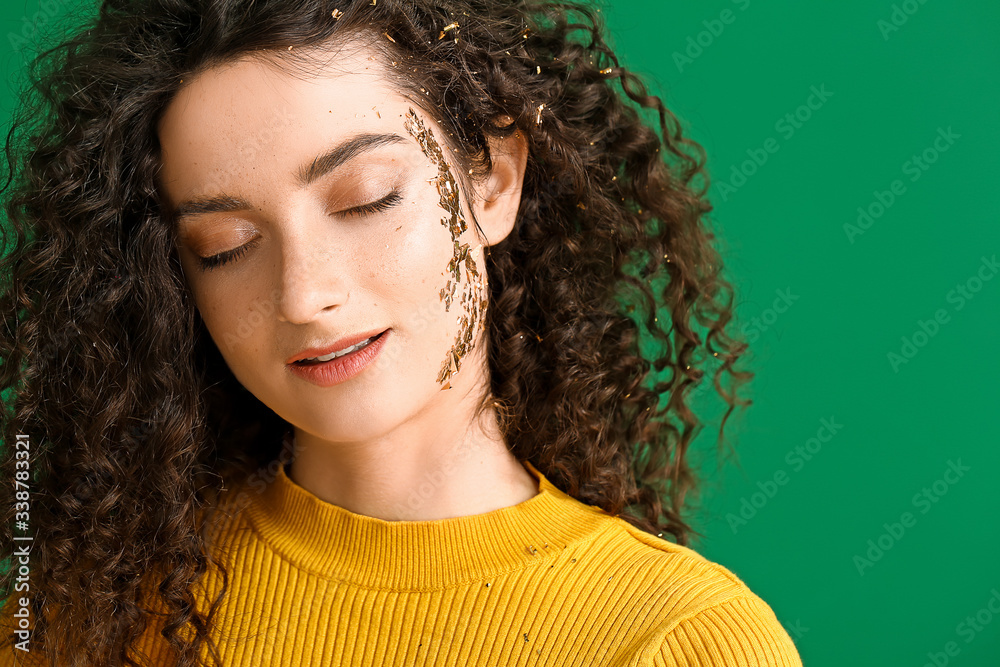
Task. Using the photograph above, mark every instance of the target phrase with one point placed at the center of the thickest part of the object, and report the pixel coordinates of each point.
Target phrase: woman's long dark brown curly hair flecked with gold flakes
(136, 423)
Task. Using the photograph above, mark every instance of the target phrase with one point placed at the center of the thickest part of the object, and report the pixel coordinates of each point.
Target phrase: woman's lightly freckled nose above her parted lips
(311, 279)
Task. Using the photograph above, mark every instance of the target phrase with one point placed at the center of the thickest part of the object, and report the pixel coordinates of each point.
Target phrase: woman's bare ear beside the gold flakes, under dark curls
(496, 209)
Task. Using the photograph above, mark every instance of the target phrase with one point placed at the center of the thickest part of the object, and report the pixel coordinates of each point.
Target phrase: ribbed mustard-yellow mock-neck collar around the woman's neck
(333, 542)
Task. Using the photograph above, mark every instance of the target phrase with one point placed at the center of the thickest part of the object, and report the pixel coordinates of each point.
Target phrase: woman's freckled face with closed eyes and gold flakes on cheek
(315, 212)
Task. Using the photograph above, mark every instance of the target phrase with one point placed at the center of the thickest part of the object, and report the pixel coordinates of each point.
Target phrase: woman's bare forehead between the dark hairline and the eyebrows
(258, 117)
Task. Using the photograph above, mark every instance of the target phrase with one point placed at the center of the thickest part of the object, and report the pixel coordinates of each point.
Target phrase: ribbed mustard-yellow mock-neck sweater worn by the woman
(548, 582)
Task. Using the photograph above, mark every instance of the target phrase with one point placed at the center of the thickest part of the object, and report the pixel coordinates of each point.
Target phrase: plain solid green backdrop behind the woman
(824, 308)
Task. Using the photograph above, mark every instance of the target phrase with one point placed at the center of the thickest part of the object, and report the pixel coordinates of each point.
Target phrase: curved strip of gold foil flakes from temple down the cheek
(473, 298)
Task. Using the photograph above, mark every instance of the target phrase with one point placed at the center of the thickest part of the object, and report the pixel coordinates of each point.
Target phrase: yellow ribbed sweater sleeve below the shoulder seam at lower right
(739, 632)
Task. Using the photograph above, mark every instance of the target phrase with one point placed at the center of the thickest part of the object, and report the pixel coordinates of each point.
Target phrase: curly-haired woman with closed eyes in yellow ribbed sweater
(331, 330)
